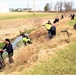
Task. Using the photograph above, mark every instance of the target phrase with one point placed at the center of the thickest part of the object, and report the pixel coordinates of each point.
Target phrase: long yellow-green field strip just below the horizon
(13, 15)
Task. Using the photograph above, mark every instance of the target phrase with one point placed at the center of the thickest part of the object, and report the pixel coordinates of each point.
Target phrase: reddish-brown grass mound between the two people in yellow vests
(39, 35)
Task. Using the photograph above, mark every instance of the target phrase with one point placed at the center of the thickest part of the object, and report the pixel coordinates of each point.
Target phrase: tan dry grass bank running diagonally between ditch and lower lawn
(42, 49)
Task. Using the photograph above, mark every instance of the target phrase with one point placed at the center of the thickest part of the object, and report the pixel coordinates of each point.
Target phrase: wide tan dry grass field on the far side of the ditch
(12, 28)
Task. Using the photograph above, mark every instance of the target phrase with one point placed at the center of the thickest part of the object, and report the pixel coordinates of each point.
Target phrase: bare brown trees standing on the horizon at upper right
(60, 6)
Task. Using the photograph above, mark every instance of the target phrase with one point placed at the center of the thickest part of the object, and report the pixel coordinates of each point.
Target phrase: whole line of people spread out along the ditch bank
(51, 33)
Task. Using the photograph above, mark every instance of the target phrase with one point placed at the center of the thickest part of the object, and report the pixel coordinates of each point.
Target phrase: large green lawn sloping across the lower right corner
(64, 63)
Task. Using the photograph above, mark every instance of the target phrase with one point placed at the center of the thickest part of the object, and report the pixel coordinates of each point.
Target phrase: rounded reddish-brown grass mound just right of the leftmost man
(24, 54)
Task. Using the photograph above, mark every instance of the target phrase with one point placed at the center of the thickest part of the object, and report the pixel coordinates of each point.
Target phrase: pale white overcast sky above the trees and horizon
(39, 4)
